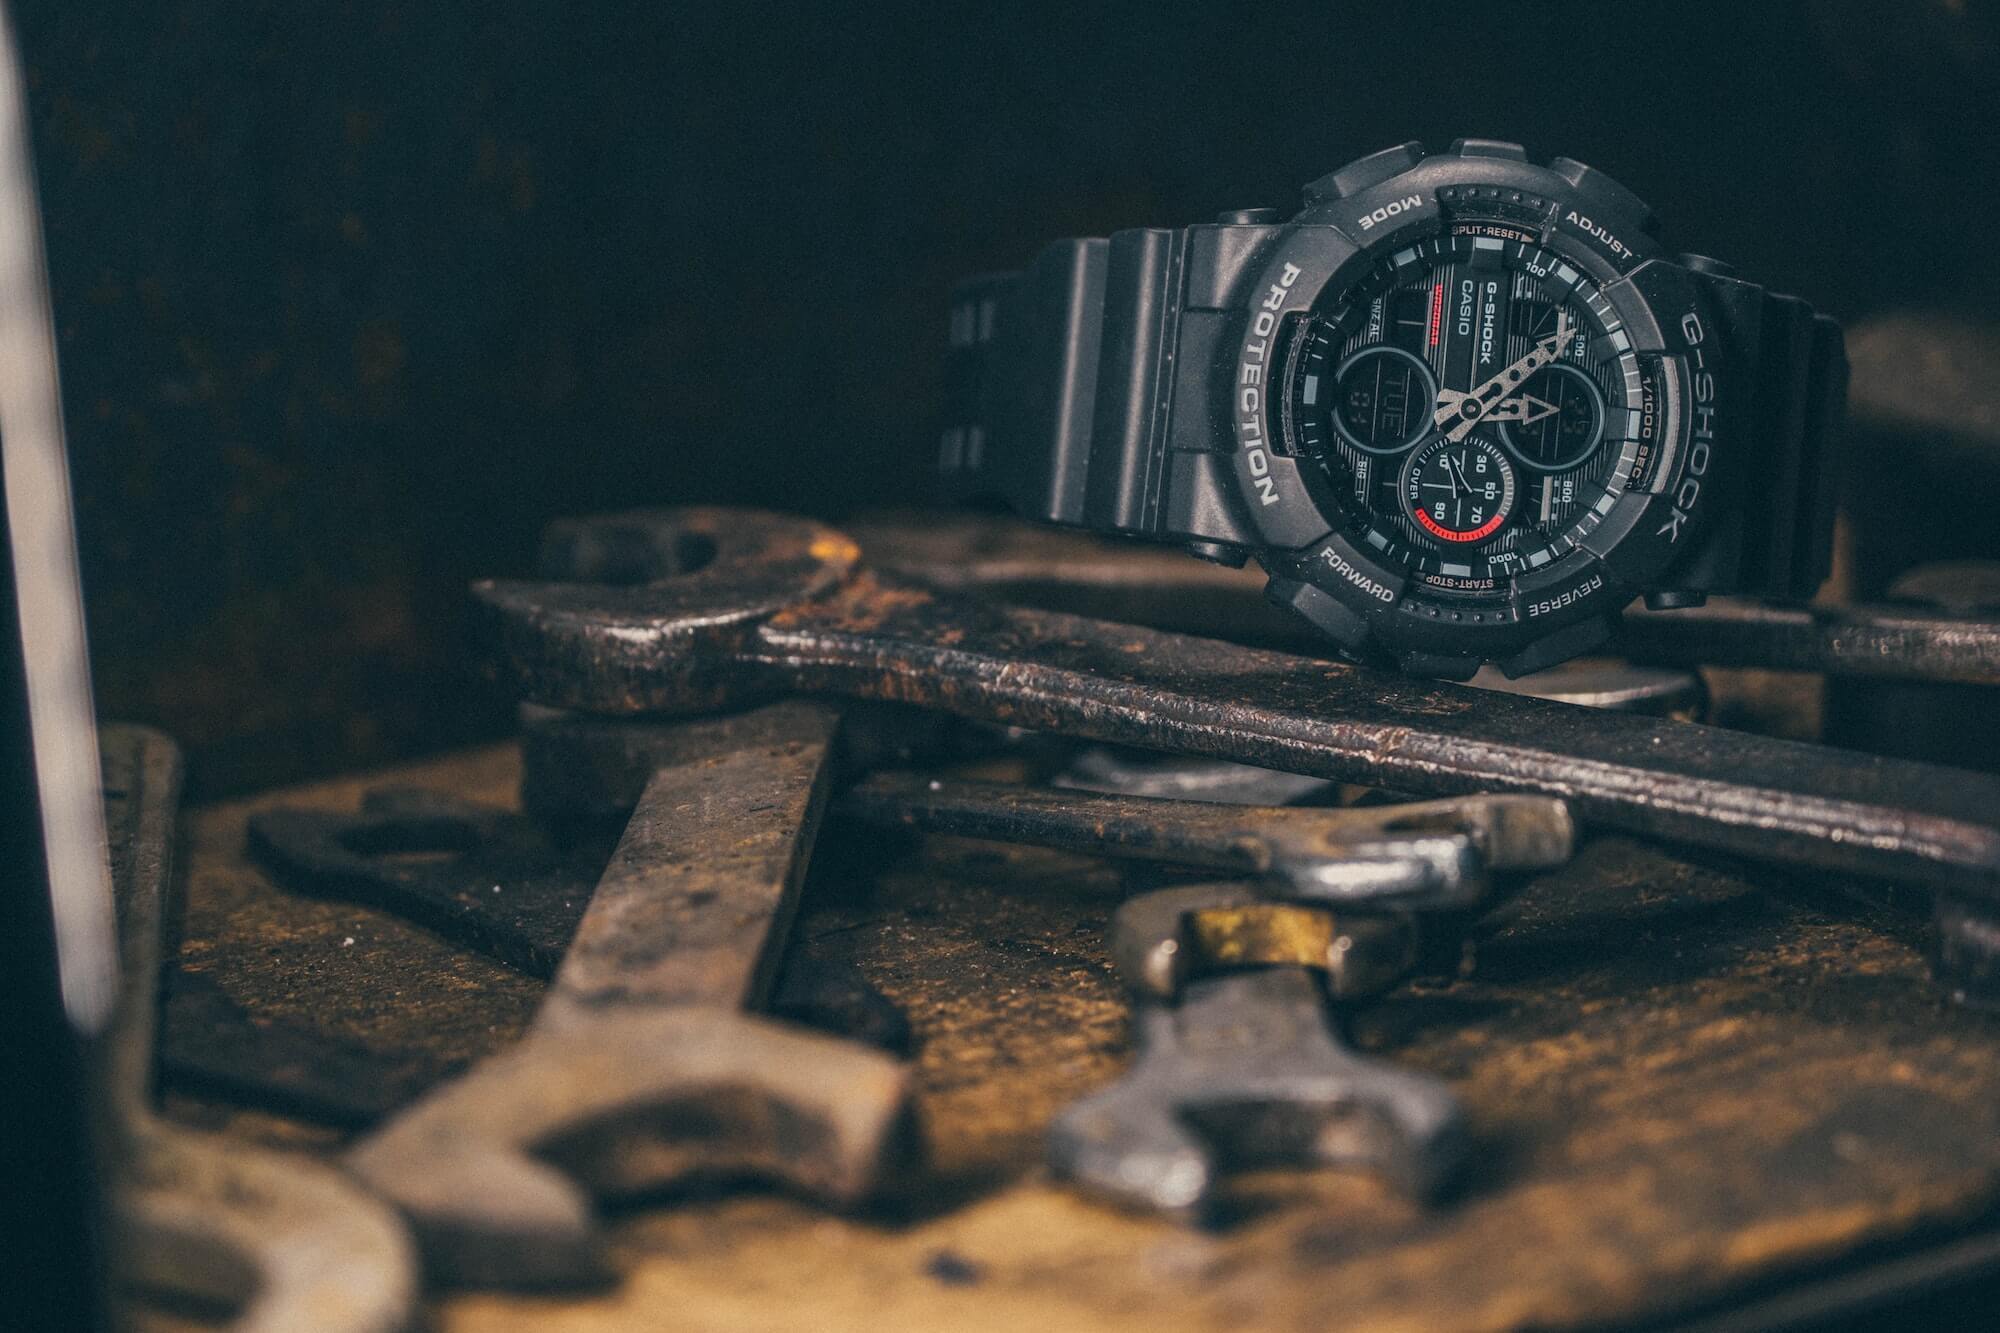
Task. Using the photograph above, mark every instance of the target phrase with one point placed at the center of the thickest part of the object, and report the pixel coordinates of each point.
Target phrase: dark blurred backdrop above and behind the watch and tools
(355, 297)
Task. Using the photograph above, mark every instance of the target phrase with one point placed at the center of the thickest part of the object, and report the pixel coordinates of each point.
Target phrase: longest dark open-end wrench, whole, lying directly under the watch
(781, 605)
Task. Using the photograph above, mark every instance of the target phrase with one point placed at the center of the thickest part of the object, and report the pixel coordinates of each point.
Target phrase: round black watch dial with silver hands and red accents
(1475, 403)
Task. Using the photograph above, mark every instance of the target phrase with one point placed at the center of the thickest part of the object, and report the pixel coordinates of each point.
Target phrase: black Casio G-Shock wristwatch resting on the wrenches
(1463, 407)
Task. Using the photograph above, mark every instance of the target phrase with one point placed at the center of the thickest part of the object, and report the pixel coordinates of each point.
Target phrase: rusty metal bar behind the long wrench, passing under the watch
(1159, 587)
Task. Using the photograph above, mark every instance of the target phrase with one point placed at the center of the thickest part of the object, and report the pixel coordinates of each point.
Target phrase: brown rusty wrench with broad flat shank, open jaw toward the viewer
(643, 1070)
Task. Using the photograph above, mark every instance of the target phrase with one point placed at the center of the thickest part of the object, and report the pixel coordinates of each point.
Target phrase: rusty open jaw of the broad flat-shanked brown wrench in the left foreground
(499, 1172)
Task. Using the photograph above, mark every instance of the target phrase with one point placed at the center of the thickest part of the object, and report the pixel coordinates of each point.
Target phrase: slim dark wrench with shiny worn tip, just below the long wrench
(1431, 856)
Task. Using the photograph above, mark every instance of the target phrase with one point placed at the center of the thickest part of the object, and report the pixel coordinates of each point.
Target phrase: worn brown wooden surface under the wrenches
(1683, 1088)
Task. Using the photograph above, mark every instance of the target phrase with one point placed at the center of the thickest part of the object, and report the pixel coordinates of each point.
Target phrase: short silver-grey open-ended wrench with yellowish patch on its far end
(1247, 1068)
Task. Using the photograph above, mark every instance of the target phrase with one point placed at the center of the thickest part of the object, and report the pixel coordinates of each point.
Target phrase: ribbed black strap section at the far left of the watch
(1059, 383)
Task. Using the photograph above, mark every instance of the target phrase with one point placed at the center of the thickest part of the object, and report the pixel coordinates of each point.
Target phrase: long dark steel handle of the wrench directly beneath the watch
(1775, 802)
